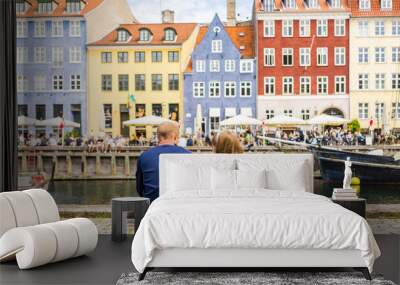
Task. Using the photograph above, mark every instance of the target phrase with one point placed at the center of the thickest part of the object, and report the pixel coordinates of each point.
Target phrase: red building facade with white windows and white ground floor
(302, 58)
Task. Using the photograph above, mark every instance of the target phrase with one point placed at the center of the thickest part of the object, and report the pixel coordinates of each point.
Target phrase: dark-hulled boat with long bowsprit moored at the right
(370, 168)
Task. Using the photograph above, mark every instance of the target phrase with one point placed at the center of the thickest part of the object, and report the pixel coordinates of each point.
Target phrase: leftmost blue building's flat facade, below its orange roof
(51, 69)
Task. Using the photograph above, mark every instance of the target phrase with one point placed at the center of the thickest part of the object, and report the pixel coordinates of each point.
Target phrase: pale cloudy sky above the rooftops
(188, 10)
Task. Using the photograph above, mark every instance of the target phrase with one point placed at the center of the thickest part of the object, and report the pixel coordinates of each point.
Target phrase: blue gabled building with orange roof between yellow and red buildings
(220, 81)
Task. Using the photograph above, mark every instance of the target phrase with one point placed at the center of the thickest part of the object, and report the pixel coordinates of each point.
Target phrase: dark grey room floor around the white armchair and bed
(110, 260)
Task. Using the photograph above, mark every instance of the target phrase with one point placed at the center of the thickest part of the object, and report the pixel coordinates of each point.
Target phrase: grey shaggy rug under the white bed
(244, 278)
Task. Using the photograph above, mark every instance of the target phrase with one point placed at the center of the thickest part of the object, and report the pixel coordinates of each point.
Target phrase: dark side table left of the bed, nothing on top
(119, 214)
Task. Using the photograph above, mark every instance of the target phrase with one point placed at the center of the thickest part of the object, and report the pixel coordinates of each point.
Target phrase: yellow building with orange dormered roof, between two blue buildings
(137, 70)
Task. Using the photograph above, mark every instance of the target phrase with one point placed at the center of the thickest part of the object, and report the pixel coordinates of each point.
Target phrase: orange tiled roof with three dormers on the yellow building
(183, 31)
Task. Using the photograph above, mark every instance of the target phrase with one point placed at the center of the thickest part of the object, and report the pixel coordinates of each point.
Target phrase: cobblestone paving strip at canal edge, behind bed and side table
(378, 226)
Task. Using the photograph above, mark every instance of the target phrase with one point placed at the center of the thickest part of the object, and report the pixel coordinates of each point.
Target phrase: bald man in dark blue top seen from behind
(147, 173)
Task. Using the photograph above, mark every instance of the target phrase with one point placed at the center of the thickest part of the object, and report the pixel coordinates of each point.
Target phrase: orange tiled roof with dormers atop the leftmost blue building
(59, 10)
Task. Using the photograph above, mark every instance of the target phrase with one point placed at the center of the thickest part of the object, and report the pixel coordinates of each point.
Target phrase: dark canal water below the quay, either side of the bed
(97, 192)
